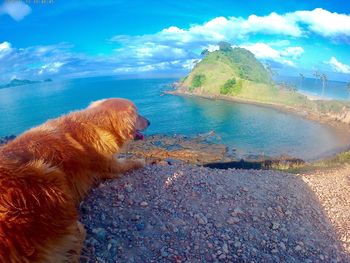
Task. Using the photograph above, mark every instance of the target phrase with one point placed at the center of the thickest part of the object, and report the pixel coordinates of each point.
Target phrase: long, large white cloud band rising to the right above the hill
(234, 29)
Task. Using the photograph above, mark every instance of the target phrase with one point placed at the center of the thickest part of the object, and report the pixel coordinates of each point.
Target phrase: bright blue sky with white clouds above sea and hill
(61, 39)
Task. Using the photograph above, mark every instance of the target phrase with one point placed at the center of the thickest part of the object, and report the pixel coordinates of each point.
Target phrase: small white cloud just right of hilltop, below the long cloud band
(266, 52)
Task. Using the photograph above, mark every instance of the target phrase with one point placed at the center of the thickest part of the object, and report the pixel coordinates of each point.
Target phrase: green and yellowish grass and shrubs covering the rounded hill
(214, 74)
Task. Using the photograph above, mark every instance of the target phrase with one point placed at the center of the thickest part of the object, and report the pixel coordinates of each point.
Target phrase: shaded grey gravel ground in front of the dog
(184, 213)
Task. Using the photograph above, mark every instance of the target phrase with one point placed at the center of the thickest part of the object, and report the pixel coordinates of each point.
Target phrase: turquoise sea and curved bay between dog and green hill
(249, 129)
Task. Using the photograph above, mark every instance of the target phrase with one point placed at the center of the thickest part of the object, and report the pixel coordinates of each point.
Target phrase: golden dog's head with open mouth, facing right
(125, 117)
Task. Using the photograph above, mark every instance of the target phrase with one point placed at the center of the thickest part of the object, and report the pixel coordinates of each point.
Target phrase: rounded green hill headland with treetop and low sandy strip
(235, 74)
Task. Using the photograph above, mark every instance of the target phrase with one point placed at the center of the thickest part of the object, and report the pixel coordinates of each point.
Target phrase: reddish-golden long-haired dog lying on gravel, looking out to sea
(47, 171)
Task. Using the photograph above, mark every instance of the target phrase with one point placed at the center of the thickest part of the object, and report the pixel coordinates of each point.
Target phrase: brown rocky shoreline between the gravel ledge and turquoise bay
(199, 150)
